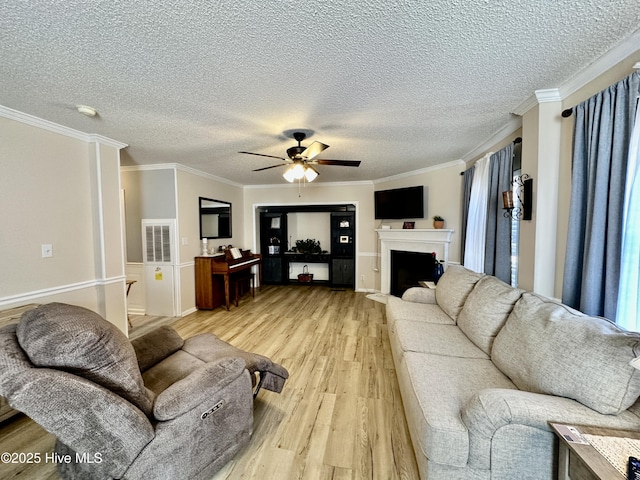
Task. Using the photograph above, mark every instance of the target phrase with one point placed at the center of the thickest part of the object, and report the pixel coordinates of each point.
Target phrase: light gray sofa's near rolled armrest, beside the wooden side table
(491, 409)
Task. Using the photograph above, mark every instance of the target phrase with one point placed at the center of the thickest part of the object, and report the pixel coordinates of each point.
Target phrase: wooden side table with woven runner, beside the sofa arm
(578, 461)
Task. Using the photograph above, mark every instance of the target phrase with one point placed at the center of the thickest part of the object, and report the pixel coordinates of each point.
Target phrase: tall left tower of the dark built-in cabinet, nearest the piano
(273, 244)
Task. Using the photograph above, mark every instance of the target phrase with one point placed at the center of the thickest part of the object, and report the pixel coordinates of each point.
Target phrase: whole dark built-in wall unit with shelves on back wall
(341, 258)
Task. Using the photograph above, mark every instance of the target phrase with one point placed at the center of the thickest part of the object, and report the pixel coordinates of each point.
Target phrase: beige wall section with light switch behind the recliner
(60, 187)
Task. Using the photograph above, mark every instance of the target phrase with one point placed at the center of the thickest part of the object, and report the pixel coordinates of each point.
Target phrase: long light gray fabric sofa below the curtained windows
(483, 368)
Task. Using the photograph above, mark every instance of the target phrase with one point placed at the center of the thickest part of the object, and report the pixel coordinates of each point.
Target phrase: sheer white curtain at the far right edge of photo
(628, 313)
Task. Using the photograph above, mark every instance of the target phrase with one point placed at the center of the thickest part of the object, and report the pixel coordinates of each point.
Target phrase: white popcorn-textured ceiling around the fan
(399, 85)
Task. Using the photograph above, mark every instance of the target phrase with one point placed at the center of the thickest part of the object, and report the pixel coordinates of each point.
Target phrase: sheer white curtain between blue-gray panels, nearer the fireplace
(474, 247)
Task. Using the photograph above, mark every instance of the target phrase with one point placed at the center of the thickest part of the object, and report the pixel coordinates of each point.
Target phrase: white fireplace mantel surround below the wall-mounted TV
(422, 240)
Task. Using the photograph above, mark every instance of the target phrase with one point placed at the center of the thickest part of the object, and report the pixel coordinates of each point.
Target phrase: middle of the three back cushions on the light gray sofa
(486, 310)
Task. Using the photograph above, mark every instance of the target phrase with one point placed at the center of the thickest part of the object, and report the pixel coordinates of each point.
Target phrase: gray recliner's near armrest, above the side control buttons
(198, 388)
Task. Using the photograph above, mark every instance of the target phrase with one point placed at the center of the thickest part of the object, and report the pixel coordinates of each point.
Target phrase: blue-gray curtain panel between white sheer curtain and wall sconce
(497, 259)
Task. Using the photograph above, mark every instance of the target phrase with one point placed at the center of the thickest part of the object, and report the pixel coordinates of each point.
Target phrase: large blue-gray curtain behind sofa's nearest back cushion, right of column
(600, 150)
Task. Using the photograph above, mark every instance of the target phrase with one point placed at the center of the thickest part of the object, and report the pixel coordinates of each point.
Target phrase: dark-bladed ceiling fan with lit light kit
(301, 160)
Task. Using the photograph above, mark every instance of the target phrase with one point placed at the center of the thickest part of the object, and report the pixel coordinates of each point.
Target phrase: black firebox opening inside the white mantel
(409, 268)
